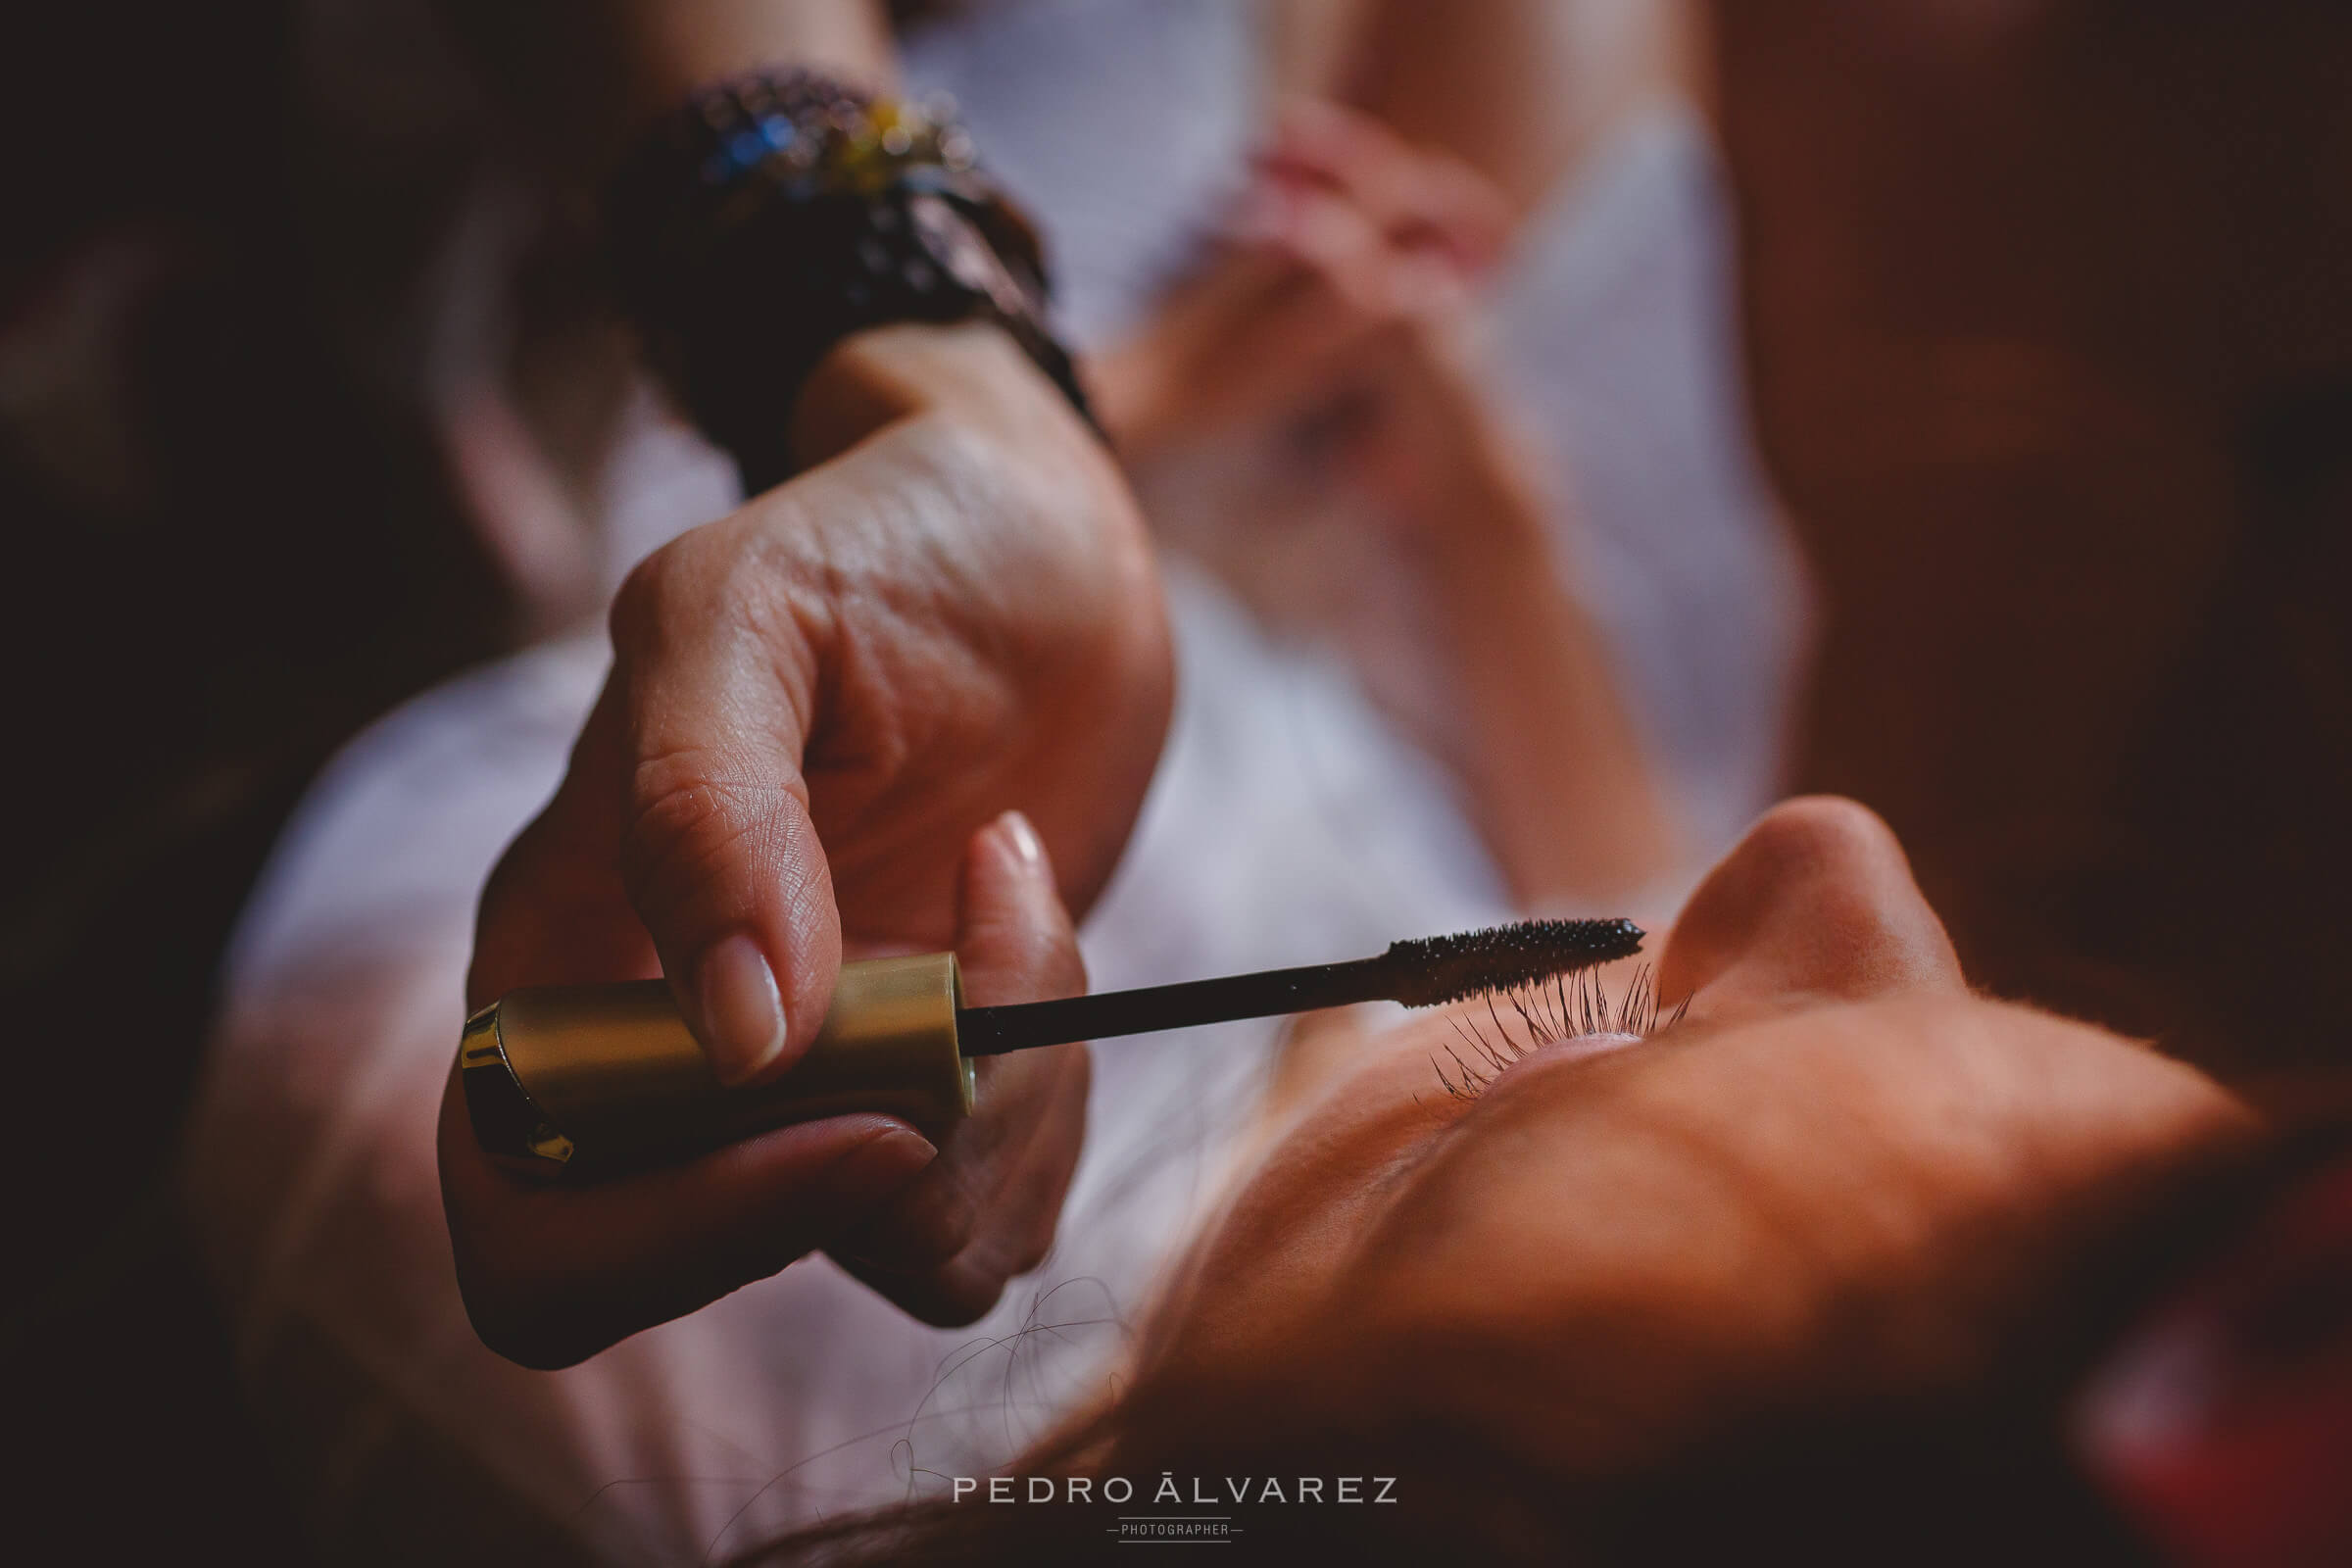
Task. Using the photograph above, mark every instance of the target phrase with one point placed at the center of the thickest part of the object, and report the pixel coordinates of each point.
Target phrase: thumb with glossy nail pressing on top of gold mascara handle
(716, 695)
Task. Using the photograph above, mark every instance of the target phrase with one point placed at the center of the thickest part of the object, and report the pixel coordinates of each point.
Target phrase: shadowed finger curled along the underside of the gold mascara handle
(554, 1275)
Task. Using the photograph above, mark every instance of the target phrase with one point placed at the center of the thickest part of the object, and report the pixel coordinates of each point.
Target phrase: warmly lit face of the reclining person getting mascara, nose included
(1840, 1177)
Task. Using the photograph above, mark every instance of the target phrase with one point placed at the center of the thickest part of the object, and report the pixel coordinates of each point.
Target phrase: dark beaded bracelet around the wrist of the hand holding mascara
(782, 213)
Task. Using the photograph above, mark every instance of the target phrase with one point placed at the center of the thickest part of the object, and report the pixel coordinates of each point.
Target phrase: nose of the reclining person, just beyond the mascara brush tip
(1817, 899)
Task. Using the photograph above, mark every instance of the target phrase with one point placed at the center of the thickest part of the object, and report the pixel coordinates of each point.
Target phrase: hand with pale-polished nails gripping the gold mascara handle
(815, 704)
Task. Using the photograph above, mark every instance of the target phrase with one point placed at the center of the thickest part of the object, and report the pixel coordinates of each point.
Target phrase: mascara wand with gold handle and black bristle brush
(575, 1080)
